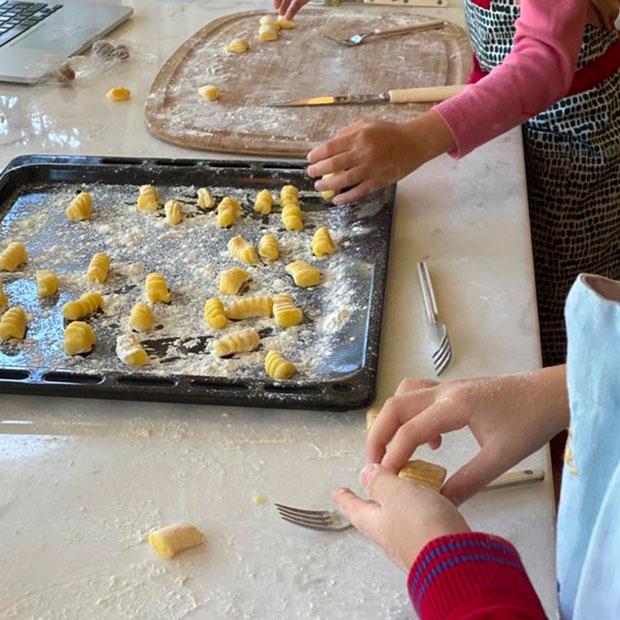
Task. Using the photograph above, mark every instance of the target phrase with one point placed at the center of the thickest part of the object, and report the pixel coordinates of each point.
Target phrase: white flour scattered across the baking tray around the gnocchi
(190, 256)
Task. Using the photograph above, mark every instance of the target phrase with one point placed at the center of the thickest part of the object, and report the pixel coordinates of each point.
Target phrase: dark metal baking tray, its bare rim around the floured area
(349, 379)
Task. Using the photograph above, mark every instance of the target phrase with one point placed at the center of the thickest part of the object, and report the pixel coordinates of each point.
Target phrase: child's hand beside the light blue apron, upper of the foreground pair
(510, 417)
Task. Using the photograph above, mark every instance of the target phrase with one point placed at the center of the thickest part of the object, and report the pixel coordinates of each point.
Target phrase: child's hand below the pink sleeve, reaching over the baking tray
(373, 154)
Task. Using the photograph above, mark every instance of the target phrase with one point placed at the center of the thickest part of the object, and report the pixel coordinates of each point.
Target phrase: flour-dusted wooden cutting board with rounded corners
(302, 63)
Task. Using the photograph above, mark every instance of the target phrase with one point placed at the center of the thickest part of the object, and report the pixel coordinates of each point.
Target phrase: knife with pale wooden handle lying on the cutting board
(430, 94)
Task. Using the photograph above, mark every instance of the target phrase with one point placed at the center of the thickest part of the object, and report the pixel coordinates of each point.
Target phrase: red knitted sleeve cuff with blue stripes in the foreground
(472, 576)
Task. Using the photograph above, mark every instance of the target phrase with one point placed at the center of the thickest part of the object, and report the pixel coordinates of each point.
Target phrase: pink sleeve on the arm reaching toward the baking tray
(536, 74)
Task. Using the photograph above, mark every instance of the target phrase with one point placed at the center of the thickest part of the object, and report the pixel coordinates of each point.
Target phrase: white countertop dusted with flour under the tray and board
(83, 480)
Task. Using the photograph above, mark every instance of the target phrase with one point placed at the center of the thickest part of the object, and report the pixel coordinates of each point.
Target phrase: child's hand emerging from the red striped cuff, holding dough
(402, 516)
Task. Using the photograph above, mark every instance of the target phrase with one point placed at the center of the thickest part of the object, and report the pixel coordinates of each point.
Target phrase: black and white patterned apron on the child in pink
(572, 153)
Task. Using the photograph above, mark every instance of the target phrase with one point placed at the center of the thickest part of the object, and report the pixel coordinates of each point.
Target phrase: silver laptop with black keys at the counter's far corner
(36, 37)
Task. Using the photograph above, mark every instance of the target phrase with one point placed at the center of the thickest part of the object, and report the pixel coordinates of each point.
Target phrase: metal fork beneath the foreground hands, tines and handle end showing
(334, 521)
